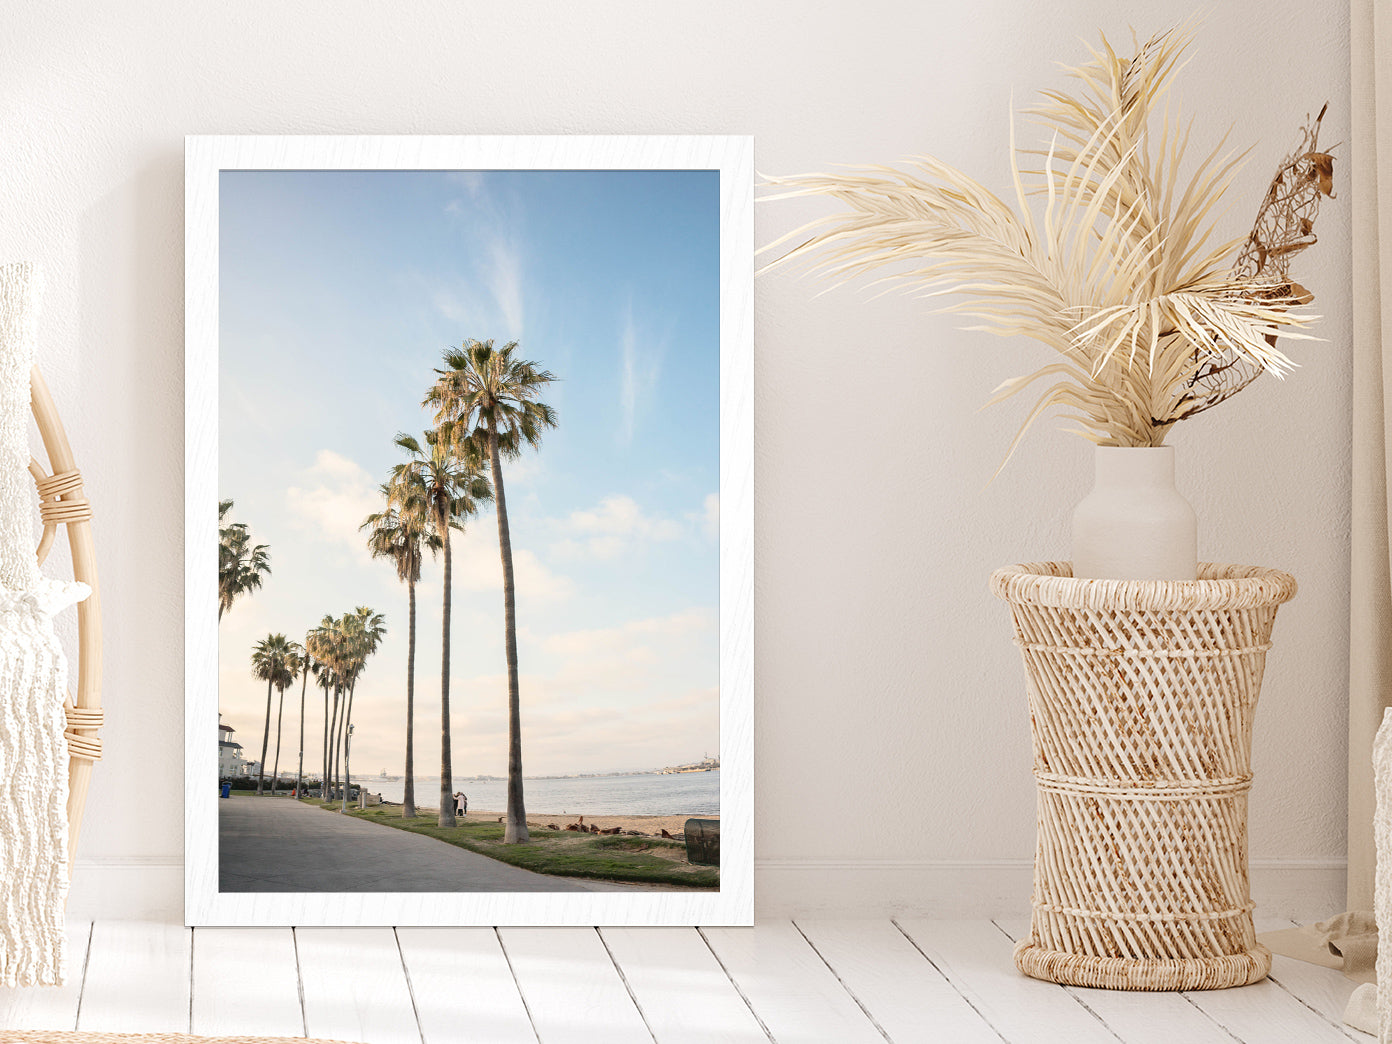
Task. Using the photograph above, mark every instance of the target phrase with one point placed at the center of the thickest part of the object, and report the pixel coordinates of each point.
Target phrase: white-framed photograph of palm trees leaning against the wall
(470, 531)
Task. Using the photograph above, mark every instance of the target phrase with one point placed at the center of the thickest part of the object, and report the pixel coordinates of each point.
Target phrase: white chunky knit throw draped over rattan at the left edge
(34, 757)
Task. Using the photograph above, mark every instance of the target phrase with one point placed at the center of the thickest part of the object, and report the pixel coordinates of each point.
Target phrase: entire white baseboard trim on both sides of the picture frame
(1297, 889)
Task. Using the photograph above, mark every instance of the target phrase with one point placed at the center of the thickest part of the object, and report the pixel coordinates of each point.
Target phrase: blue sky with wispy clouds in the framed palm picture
(339, 294)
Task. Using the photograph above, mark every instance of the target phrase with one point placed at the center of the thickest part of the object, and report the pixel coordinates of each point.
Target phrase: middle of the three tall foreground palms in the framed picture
(453, 487)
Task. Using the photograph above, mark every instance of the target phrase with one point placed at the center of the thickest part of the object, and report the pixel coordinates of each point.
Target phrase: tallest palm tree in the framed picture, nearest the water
(489, 400)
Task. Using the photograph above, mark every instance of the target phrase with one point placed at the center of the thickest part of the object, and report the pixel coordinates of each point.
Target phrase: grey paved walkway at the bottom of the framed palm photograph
(282, 846)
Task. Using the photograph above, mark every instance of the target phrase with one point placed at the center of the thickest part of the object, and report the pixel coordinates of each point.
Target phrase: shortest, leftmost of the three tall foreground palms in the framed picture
(402, 532)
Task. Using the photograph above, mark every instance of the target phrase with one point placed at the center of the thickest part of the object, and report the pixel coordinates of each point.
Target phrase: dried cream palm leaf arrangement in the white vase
(1155, 321)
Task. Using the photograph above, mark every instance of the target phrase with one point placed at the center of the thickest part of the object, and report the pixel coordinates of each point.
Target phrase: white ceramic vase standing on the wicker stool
(1135, 525)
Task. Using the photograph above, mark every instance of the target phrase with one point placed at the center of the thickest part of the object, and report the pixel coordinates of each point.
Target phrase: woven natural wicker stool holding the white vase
(1142, 697)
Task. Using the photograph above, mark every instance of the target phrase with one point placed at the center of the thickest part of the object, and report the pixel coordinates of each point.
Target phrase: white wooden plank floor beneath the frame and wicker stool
(815, 981)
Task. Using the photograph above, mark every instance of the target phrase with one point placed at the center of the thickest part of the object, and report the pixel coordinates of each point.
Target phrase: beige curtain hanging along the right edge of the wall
(1370, 630)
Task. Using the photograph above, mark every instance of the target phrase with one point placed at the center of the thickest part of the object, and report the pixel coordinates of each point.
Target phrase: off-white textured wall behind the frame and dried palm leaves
(893, 738)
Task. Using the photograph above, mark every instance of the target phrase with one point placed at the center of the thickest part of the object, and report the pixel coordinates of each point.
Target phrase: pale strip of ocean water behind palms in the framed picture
(686, 794)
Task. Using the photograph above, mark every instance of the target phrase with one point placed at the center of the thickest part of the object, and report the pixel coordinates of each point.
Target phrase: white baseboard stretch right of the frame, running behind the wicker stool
(1295, 889)
